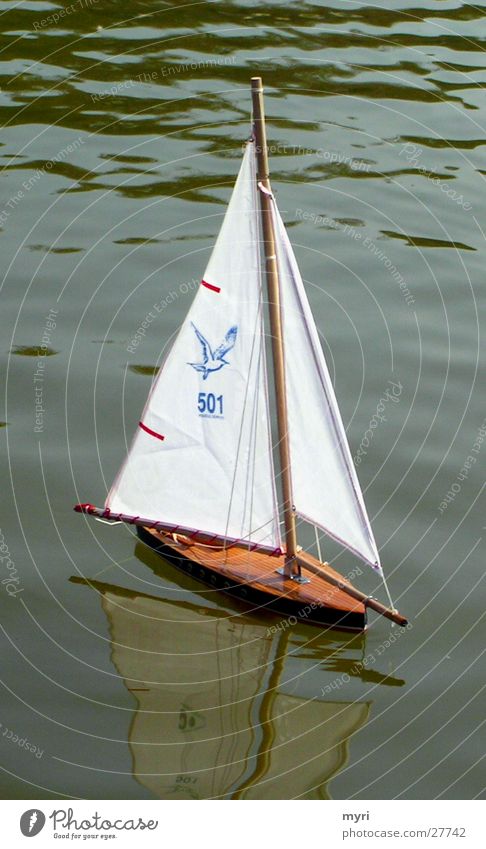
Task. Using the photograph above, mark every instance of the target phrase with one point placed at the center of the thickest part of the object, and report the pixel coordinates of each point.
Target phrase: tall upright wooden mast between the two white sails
(271, 269)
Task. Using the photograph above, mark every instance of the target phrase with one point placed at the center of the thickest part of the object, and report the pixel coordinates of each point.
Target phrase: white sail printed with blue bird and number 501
(201, 457)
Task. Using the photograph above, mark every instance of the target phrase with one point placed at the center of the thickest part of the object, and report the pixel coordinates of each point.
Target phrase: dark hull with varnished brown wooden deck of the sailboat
(252, 577)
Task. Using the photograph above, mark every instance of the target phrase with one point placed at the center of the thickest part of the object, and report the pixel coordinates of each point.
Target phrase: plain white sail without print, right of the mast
(325, 486)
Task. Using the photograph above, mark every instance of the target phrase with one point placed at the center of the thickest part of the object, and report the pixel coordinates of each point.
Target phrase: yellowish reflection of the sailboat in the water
(230, 704)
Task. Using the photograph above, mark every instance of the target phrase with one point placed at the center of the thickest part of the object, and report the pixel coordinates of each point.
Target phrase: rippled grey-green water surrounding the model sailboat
(121, 137)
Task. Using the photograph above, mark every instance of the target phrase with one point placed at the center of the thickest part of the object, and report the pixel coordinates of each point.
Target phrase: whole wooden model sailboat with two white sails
(199, 480)
